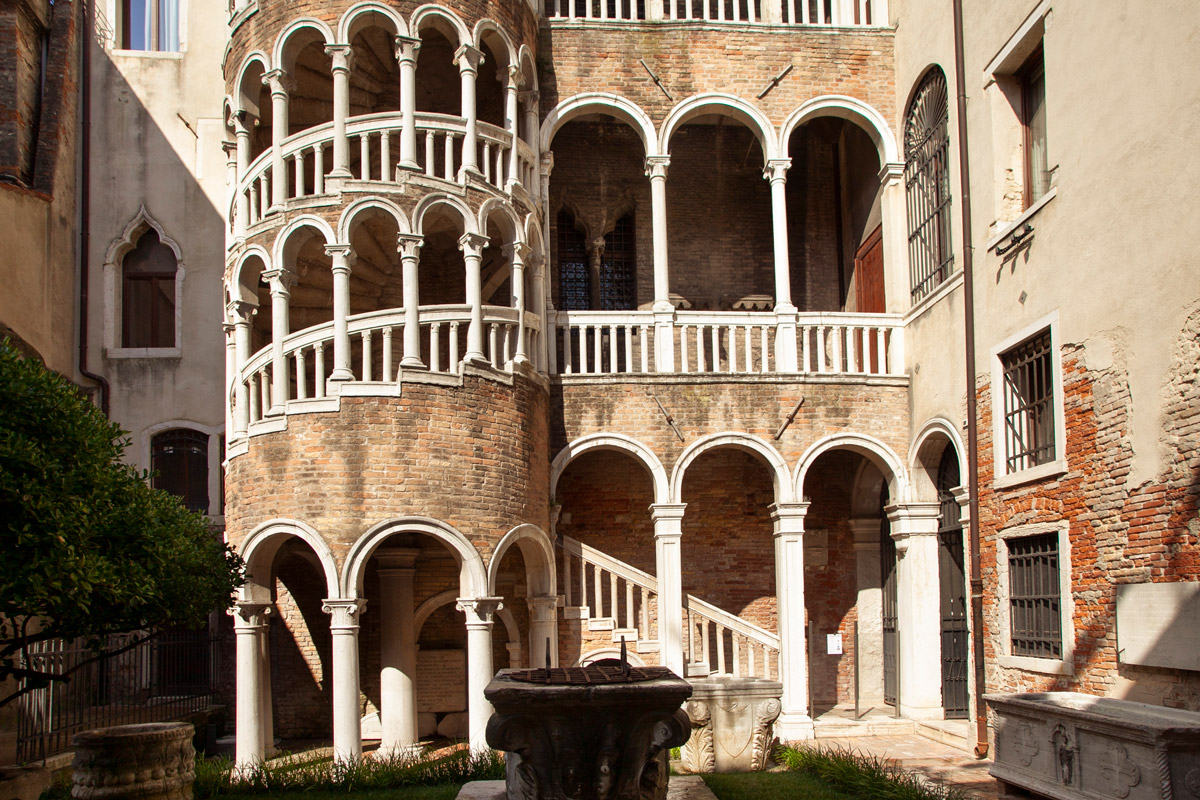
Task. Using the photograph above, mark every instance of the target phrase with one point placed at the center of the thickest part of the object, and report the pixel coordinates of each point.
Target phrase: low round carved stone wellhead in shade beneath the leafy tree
(140, 762)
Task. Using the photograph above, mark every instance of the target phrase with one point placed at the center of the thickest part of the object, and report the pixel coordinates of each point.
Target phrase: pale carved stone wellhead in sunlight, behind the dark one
(731, 723)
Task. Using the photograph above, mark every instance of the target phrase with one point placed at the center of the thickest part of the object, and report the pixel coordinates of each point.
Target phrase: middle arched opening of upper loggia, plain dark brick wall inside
(719, 218)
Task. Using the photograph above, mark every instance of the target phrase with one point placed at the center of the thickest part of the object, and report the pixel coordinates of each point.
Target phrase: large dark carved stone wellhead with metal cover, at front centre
(587, 733)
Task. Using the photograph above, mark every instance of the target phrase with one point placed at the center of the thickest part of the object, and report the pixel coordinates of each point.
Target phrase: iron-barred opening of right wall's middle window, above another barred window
(1029, 404)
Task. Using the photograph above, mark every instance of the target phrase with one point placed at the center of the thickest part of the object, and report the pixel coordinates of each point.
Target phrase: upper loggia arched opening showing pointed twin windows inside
(602, 202)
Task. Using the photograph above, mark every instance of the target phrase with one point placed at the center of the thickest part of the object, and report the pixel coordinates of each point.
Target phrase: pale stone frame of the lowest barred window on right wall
(1065, 665)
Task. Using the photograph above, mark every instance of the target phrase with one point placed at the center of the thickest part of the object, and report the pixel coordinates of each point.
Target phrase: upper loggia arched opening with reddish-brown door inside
(836, 248)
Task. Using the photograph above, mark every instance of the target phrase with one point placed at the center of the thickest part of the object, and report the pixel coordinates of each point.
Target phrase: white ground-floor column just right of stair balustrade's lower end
(789, 524)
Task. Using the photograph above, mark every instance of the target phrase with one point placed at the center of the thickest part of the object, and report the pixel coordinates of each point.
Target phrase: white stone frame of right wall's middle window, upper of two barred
(1004, 478)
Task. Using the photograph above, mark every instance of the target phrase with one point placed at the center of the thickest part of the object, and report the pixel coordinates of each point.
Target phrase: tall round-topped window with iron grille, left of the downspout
(927, 146)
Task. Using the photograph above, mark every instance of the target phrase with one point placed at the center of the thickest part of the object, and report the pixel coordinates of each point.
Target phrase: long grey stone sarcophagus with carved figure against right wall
(1069, 745)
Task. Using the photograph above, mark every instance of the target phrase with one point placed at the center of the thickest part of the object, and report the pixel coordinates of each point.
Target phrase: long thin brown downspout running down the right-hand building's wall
(981, 749)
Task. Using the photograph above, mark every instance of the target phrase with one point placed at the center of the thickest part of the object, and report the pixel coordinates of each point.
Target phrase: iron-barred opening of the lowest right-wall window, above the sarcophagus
(1034, 597)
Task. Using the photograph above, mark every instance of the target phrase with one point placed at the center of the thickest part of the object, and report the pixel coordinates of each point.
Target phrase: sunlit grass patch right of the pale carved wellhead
(860, 775)
